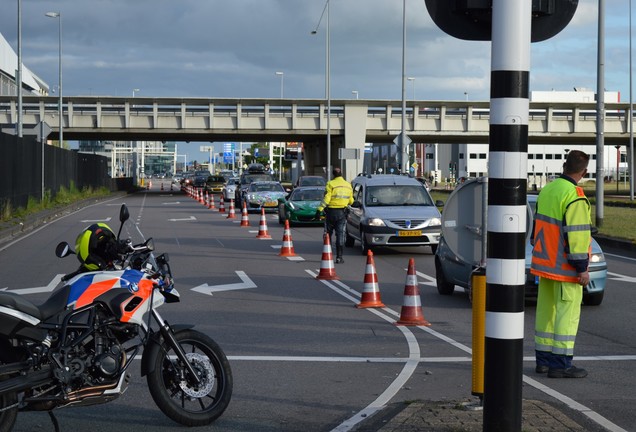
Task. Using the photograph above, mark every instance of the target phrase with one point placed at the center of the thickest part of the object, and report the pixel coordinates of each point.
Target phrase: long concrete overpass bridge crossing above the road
(352, 122)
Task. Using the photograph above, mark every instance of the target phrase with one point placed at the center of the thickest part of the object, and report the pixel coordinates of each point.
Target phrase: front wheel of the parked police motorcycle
(176, 395)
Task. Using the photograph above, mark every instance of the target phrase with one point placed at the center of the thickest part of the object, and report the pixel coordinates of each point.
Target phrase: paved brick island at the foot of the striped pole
(451, 416)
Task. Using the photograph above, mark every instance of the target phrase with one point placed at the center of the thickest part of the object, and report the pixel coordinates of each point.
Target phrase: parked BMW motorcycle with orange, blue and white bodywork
(75, 349)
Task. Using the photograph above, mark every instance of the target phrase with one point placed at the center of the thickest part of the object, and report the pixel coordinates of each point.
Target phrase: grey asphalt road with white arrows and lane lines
(303, 357)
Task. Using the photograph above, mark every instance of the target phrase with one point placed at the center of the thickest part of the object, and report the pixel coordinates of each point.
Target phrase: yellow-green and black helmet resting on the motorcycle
(96, 247)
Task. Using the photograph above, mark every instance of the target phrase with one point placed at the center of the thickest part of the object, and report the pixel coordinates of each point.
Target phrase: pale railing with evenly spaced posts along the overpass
(426, 118)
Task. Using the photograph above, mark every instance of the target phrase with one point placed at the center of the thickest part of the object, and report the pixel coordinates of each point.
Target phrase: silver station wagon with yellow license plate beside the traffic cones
(392, 210)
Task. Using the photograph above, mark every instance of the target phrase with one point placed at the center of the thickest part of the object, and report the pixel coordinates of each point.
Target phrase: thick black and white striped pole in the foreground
(506, 228)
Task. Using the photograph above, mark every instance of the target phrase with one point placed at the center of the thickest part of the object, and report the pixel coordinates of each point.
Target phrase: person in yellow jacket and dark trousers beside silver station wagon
(338, 195)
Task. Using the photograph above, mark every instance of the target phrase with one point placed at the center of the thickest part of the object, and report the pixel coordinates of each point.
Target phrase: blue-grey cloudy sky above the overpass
(233, 49)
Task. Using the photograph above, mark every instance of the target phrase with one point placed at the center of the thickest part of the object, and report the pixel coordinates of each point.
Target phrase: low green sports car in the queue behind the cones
(299, 207)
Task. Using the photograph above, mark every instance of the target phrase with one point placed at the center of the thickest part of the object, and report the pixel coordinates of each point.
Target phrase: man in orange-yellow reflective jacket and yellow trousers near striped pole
(561, 238)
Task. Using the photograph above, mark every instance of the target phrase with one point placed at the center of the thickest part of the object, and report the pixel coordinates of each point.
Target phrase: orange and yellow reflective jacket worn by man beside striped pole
(562, 231)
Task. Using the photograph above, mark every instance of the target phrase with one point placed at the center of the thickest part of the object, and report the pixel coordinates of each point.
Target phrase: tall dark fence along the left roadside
(24, 176)
